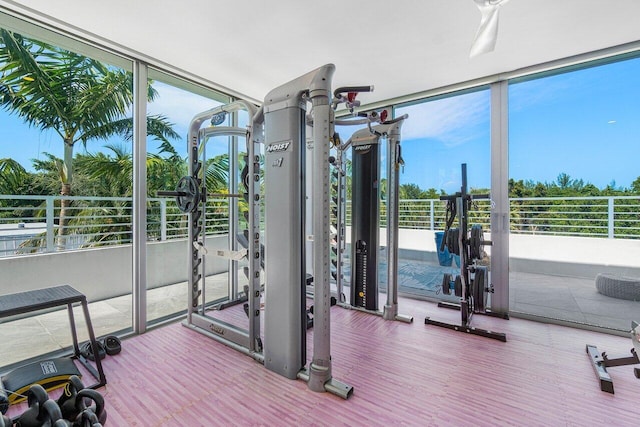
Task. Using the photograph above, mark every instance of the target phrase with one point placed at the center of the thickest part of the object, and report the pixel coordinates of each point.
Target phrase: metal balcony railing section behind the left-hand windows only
(31, 224)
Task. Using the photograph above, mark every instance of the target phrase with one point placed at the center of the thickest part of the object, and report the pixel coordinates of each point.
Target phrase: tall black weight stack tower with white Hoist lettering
(365, 218)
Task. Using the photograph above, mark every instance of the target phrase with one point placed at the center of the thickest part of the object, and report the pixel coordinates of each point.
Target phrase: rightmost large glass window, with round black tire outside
(574, 141)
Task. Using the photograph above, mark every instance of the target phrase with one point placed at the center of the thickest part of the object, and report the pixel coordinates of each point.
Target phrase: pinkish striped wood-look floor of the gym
(403, 374)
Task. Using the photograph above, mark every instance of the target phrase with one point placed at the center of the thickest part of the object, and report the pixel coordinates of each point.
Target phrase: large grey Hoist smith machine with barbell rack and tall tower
(280, 124)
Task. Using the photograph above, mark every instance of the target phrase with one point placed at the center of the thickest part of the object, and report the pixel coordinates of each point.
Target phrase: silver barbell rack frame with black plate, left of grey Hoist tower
(191, 197)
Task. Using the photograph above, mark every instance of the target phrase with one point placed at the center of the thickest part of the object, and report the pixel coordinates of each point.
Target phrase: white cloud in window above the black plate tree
(452, 120)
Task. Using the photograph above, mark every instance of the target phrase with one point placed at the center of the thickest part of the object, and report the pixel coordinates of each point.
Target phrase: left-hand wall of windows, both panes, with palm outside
(68, 189)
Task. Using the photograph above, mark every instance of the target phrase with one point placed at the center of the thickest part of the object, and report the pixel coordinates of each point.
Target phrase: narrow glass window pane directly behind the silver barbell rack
(177, 102)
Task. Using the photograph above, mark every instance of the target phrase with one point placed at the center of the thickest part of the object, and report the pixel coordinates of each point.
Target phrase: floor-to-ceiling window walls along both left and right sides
(573, 144)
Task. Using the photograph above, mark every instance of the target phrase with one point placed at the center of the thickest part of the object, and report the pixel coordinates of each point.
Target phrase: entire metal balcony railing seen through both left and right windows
(31, 224)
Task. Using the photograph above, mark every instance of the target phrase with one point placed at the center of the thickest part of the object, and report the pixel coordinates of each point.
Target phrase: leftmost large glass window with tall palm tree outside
(65, 187)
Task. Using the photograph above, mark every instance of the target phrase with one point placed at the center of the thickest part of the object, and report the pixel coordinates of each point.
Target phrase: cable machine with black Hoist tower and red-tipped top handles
(365, 214)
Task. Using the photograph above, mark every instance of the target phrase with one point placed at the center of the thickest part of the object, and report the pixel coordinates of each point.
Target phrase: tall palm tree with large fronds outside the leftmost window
(79, 98)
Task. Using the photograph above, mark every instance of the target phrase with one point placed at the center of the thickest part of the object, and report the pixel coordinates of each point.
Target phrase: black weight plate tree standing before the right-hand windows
(472, 284)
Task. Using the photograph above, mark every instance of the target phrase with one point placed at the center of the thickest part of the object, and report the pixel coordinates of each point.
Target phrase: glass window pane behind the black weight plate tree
(439, 135)
